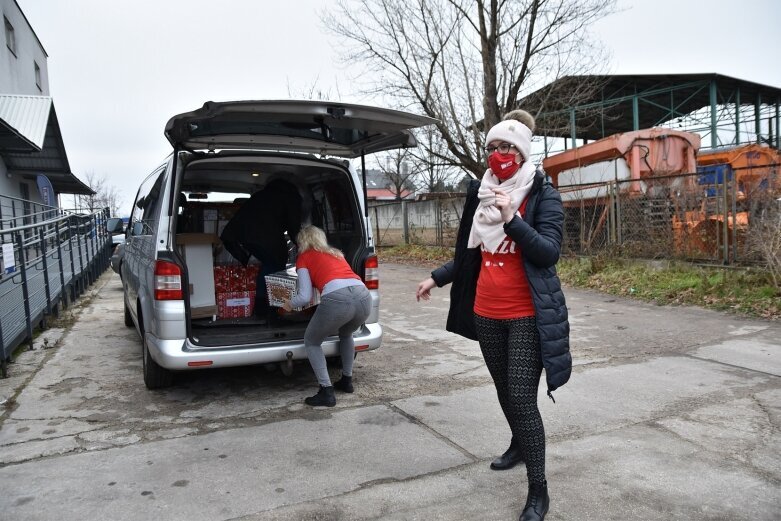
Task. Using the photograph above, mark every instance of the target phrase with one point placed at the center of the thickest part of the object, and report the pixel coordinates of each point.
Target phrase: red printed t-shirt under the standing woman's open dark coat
(502, 287)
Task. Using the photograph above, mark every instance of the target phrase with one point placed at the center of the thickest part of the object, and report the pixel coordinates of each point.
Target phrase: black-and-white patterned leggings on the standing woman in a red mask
(511, 349)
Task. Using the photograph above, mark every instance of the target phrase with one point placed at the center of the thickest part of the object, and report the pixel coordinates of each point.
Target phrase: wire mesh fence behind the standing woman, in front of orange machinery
(719, 215)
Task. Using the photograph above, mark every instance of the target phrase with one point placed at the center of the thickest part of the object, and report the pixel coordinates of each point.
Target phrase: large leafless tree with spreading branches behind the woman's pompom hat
(467, 62)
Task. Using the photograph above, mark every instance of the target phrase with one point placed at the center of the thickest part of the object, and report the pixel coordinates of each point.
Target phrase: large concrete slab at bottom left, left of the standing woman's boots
(230, 473)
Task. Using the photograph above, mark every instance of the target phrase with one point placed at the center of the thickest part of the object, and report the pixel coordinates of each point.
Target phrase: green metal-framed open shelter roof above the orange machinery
(723, 110)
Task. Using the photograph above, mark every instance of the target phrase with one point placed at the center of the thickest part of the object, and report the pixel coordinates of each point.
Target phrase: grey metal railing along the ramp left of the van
(46, 265)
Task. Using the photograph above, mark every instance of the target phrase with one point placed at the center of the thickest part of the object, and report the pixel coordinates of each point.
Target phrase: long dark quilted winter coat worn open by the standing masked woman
(539, 236)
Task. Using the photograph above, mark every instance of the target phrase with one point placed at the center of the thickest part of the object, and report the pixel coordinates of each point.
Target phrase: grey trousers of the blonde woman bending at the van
(342, 311)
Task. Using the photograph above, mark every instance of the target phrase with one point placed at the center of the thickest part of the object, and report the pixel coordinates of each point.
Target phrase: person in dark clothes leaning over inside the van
(258, 229)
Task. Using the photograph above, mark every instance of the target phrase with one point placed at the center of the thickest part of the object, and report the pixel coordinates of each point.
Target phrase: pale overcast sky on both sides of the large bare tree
(118, 69)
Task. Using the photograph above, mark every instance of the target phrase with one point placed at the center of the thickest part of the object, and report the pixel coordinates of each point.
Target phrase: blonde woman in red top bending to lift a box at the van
(345, 304)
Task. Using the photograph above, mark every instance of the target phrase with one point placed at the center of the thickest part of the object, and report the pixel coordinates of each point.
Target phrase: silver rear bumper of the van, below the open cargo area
(177, 355)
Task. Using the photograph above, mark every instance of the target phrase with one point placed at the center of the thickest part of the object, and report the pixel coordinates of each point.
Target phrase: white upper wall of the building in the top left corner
(17, 70)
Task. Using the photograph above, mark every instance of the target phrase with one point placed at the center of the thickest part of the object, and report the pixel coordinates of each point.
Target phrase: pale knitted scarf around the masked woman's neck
(487, 226)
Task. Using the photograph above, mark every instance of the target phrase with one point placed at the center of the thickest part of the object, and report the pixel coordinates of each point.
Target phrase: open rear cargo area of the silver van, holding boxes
(221, 297)
